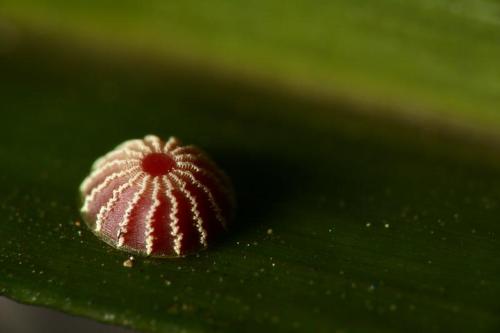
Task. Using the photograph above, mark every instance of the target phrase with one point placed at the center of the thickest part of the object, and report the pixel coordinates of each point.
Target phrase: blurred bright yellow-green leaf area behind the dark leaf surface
(421, 58)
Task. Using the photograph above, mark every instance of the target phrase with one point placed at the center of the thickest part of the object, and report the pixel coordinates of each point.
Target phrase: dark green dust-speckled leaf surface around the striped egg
(346, 222)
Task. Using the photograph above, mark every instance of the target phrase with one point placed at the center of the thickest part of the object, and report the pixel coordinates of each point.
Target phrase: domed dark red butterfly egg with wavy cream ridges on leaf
(157, 198)
